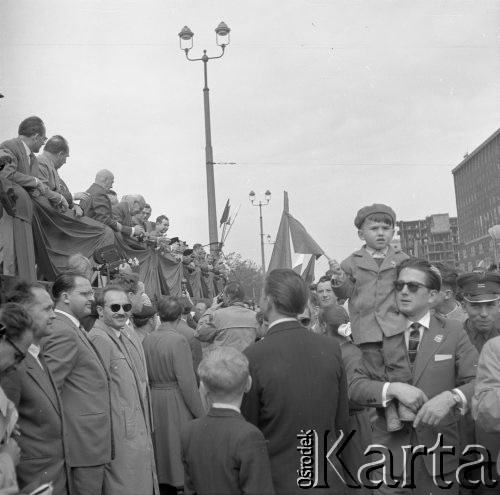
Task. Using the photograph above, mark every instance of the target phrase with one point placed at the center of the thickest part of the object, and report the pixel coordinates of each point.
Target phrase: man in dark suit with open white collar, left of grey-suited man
(35, 395)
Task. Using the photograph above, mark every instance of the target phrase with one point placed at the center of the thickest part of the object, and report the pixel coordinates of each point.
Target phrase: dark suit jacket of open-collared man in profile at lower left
(32, 390)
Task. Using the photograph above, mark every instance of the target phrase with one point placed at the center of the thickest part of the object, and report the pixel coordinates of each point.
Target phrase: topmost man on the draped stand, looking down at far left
(22, 172)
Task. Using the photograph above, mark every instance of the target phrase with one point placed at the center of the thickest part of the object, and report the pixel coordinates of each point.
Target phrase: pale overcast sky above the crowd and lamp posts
(341, 103)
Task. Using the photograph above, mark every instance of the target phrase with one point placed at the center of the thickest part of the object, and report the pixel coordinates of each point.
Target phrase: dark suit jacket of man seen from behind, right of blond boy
(298, 383)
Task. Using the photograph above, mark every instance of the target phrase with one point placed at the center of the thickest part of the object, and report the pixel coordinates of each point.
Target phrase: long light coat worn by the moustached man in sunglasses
(132, 471)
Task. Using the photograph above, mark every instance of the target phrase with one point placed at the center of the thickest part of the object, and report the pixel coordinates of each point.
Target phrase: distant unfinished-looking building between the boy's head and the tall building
(435, 238)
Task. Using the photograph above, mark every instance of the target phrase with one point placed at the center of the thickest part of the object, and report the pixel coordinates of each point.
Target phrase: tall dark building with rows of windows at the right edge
(477, 192)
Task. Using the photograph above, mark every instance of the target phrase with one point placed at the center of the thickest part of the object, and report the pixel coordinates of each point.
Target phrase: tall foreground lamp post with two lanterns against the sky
(186, 43)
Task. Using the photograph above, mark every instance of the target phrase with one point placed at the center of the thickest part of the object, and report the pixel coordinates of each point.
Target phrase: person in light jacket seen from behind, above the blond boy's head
(228, 322)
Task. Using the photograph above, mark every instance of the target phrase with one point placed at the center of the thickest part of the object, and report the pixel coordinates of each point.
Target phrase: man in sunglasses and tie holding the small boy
(443, 363)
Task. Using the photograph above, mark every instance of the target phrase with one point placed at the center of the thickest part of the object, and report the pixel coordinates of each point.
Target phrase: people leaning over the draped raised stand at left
(42, 221)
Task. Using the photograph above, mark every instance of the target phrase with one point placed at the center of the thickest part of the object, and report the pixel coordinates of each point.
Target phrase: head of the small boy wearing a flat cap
(375, 225)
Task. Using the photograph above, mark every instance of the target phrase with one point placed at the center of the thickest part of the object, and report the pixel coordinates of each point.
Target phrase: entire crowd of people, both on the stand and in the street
(383, 376)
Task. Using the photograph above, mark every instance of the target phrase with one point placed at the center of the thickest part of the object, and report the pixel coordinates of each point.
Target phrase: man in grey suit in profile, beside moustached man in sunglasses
(82, 382)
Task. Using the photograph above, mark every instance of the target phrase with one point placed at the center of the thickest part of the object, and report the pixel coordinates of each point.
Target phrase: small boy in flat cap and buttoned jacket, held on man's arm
(366, 278)
